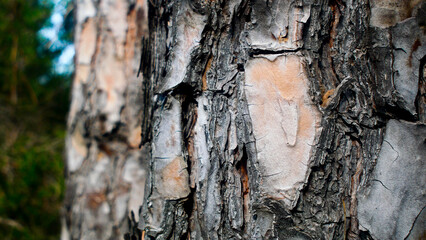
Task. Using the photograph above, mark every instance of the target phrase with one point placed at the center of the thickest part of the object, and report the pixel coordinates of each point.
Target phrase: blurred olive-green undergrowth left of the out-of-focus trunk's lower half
(31, 181)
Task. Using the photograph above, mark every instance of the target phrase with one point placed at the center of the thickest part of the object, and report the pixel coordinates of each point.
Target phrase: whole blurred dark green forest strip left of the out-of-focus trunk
(33, 106)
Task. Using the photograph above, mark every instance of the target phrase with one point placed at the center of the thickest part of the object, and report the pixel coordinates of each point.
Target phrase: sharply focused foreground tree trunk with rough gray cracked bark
(283, 120)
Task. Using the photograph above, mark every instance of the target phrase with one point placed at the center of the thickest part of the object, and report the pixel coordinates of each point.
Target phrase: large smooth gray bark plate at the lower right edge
(390, 206)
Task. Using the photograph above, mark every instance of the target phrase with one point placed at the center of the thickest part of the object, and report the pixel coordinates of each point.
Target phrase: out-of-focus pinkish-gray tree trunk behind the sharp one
(105, 166)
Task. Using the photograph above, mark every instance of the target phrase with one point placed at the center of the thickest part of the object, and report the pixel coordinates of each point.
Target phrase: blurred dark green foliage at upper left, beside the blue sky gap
(23, 57)
